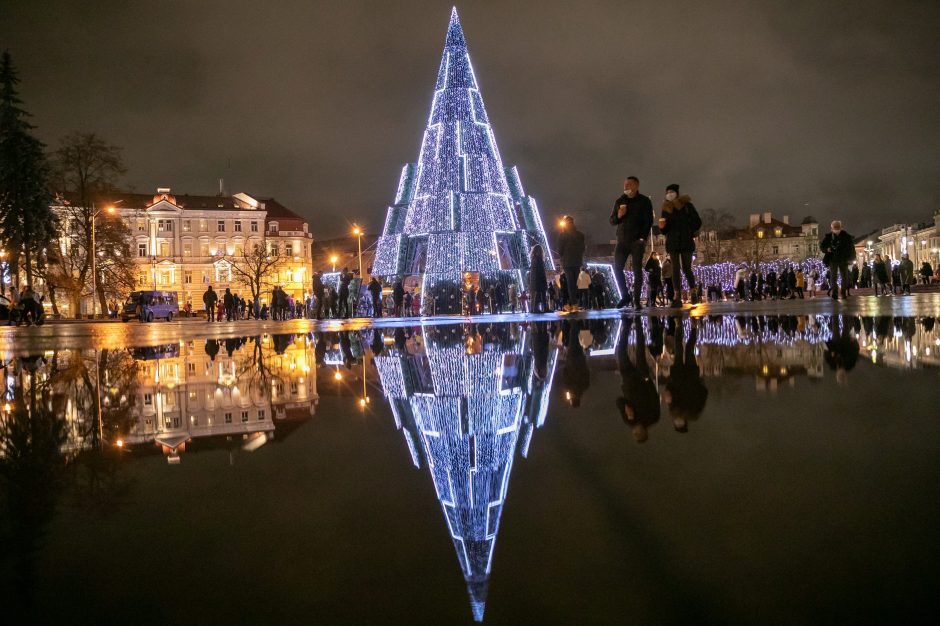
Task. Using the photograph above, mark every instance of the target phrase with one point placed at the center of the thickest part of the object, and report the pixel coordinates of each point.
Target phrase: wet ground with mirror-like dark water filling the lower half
(765, 462)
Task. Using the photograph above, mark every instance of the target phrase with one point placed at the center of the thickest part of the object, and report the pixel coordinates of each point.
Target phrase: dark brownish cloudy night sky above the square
(828, 108)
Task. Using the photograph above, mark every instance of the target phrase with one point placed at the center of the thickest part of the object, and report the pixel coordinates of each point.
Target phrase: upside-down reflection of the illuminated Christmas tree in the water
(465, 415)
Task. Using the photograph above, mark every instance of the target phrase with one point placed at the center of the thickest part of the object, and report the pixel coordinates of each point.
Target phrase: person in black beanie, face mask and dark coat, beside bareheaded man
(680, 223)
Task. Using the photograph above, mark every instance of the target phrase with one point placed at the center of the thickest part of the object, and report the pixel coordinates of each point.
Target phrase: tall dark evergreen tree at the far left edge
(27, 222)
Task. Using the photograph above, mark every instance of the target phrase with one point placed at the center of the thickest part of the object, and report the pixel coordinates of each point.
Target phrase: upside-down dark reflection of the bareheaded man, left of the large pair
(639, 404)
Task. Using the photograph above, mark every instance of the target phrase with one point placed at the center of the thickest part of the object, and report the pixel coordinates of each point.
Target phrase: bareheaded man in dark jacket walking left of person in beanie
(633, 217)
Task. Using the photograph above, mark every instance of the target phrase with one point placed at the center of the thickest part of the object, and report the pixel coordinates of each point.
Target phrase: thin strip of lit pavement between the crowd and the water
(75, 334)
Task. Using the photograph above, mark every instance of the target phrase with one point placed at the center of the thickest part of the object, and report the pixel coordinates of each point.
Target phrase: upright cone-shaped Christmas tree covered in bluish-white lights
(458, 211)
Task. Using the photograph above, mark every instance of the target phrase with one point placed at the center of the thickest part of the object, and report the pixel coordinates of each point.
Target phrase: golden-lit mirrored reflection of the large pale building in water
(222, 392)
